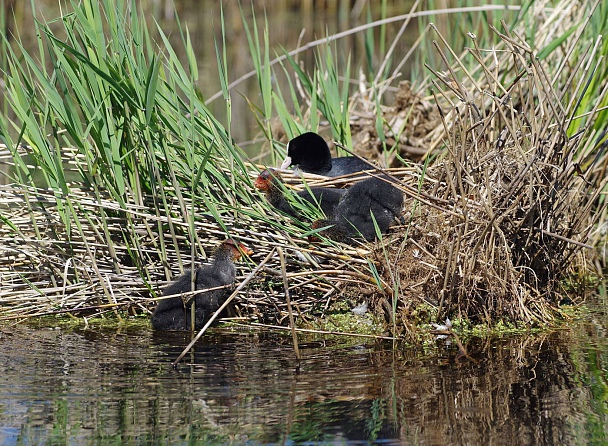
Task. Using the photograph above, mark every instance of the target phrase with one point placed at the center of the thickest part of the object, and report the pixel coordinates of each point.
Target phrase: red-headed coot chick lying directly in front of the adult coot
(269, 181)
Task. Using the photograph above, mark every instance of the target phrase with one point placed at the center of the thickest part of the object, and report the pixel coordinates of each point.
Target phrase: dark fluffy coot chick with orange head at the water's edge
(172, 314)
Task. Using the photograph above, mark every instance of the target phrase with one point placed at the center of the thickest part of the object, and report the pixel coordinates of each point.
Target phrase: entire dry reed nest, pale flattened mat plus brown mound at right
(493, 226)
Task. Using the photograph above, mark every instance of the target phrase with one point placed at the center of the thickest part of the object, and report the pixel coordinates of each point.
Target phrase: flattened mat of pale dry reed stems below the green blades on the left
(47, 272)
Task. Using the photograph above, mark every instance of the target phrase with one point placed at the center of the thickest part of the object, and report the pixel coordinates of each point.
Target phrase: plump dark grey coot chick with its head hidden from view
(353, 215)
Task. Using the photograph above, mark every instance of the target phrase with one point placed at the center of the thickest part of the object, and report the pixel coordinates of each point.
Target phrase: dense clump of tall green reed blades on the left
(137, 128)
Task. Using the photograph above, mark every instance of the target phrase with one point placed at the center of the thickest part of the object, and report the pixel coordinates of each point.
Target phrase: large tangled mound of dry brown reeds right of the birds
(504, 218)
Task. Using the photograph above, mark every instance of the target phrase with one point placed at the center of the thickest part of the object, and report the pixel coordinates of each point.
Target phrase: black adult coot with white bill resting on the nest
(310, 153)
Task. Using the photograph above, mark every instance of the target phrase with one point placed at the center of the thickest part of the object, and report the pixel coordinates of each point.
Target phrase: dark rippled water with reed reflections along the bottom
(92, 386)
